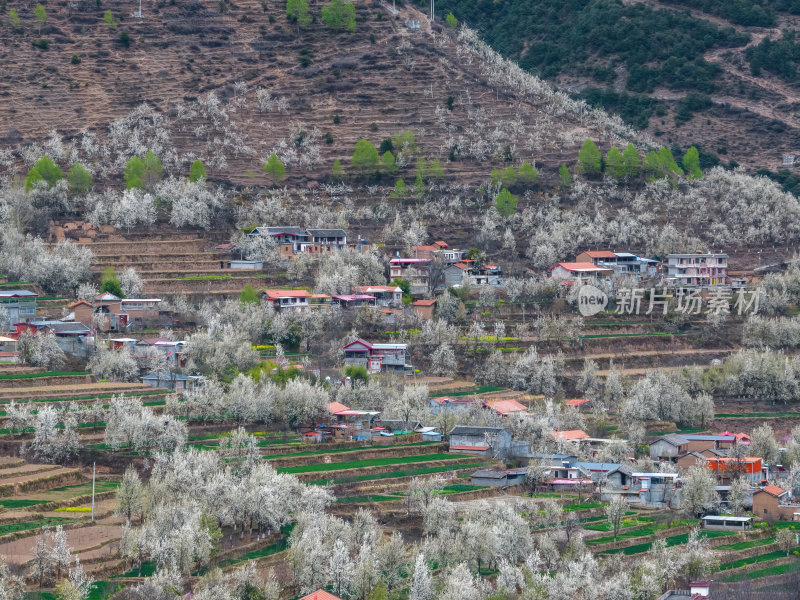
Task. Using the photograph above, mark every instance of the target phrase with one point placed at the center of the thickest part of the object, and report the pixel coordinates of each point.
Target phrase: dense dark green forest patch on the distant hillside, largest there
(588, 37)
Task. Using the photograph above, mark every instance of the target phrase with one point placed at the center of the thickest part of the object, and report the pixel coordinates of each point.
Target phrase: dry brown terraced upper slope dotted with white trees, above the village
(232, 82)
